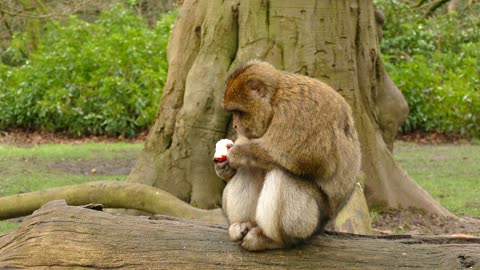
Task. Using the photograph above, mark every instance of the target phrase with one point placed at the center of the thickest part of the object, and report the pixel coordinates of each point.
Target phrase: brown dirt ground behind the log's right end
(413, 221)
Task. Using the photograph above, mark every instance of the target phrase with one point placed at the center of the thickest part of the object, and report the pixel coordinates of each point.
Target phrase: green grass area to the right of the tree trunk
(450, 173)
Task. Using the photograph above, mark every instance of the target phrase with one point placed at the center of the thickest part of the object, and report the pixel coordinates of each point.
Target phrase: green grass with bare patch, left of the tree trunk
(33, 168)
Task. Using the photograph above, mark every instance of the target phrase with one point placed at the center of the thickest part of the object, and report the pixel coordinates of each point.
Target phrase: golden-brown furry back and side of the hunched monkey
(314, 128)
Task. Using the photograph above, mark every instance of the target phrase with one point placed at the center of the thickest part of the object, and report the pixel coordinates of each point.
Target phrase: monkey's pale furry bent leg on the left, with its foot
(240, 198)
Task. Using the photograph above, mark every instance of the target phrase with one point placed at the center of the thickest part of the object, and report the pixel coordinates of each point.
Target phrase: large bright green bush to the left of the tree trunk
(99, 78)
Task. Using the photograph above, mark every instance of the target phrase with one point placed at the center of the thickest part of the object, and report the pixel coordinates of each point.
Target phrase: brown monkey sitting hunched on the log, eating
(296, 159)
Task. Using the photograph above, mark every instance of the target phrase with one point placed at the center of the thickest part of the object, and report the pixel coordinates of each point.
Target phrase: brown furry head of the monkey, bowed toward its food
(249, 94)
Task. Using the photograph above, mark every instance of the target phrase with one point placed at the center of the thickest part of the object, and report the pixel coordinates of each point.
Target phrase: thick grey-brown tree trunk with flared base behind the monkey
(334, 41)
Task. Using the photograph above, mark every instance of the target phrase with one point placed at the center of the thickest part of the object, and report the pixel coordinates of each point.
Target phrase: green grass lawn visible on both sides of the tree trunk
(451, 173)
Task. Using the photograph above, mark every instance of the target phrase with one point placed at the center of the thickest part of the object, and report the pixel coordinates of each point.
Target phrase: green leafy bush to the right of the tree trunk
(436, 63)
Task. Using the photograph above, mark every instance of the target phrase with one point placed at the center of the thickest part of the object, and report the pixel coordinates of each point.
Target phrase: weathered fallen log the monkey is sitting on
(64, 236)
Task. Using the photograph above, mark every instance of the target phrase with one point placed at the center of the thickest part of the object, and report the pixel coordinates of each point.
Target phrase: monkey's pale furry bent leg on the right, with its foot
(288, 212)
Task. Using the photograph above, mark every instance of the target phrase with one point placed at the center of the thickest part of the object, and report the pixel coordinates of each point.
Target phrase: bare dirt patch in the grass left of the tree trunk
(94, 166)
